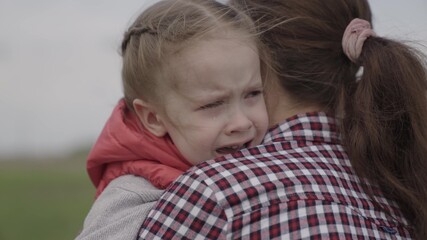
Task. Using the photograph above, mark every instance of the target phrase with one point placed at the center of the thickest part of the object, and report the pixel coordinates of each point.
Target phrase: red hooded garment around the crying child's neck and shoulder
(126, 147)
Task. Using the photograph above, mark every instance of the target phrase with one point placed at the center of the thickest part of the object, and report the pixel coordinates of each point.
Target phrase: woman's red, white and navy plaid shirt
(298, 185)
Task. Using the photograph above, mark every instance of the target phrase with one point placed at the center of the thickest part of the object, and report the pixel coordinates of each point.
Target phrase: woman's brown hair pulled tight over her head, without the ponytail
(305, 41)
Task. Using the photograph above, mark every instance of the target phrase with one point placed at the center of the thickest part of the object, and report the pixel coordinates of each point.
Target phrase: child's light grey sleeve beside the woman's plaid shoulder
(119, 211)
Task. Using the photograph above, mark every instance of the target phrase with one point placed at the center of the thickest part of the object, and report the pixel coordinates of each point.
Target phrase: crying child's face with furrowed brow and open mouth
(214, 105)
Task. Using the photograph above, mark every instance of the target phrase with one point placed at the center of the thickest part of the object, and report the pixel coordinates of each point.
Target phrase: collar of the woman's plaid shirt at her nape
(312, 126)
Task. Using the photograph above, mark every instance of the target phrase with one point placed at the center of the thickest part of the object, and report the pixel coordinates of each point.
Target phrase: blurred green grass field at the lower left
(44, 199)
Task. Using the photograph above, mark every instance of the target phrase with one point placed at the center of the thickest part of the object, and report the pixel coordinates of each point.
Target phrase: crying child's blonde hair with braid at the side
(167, 27)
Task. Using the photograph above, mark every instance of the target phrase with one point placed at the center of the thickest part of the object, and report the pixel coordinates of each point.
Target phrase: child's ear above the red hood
(149, 117)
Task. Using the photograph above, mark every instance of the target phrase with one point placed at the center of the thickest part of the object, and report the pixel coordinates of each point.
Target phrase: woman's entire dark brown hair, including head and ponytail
(384, 123)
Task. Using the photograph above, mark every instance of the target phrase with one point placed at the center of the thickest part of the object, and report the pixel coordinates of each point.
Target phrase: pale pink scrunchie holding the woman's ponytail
(354, 36)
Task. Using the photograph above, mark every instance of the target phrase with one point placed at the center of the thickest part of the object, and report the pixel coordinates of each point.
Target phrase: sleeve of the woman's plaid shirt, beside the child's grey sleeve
(188, 210)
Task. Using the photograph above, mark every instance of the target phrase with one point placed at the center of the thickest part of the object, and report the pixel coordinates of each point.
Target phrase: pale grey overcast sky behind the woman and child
(60, 67)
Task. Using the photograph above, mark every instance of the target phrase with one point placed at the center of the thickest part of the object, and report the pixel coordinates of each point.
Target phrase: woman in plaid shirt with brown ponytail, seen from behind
(346, 156)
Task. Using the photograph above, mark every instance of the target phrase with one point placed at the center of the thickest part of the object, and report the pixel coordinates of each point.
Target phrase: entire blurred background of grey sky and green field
(59, 81)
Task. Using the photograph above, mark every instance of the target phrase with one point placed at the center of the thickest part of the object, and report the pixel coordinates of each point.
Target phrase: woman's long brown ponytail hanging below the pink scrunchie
(385, 125)
